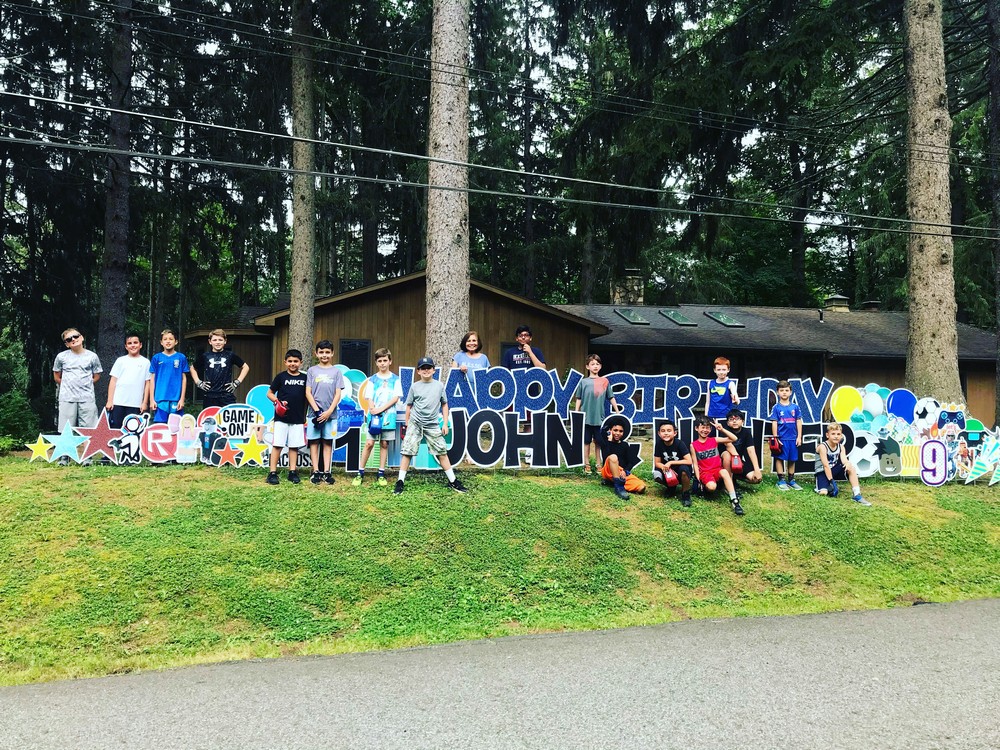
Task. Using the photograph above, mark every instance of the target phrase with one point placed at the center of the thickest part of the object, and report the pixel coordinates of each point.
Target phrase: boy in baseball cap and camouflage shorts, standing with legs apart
(425, 403)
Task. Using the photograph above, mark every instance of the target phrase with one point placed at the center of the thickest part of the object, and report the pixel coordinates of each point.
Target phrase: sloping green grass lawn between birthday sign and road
(108, 569)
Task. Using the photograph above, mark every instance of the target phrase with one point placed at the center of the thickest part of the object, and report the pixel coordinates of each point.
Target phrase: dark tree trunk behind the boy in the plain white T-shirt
(114, 274)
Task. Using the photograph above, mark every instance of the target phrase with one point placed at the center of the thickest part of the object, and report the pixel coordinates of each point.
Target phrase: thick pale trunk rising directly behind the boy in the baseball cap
(448, 209)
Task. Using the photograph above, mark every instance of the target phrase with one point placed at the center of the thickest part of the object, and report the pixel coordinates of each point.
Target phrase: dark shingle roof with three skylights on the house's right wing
(840, 334)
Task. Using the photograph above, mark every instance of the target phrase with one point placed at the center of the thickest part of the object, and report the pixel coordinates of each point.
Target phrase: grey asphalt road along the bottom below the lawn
(920, 677)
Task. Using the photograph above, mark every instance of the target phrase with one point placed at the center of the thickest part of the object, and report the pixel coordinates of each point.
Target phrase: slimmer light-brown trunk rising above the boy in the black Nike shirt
(303, 281)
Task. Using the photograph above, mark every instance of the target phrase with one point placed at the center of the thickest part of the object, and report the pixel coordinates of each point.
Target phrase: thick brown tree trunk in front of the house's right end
(932, 356)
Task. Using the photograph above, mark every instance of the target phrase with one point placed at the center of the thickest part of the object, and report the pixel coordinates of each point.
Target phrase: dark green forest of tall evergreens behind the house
(738, 152)
